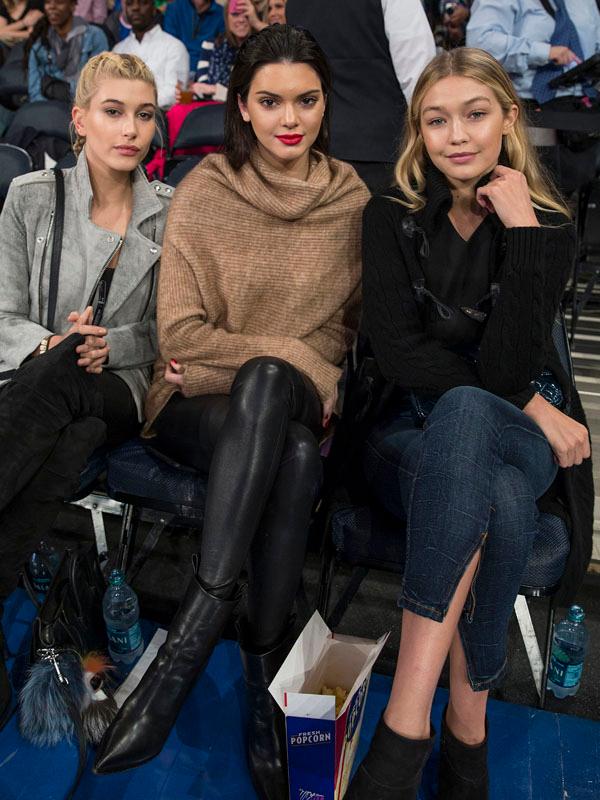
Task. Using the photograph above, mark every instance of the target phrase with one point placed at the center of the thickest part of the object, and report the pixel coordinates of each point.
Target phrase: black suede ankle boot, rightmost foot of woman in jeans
(463, 767)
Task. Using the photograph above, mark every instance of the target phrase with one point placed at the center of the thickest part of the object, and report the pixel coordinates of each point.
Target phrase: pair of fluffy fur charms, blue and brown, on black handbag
(64, 694)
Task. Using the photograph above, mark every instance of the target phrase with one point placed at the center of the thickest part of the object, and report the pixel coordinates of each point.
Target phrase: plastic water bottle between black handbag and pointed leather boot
(121, 615)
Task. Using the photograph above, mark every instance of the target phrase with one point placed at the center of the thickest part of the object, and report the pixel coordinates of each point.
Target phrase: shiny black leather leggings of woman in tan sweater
(259, 449)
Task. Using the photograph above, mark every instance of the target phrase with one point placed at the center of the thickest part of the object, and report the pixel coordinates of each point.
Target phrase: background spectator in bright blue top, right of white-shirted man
(193, 22)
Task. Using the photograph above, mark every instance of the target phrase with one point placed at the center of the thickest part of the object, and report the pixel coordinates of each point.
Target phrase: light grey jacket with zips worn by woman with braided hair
(26, 230)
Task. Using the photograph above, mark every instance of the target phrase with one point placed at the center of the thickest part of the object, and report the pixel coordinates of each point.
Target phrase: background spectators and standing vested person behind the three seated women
(190, 47)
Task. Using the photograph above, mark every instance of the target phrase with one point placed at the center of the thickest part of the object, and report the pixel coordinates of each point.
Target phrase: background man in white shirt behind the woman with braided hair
(166, 56)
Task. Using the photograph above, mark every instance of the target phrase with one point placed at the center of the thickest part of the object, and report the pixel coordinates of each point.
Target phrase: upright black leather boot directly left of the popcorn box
(267, 754)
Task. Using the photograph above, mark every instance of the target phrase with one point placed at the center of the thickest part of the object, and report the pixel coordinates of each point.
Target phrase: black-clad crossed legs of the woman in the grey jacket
(53, 414)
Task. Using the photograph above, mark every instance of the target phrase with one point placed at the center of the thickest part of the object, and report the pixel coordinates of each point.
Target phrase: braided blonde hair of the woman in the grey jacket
(107, 66)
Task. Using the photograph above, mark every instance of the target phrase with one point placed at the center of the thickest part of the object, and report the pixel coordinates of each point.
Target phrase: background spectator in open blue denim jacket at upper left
(59, 47)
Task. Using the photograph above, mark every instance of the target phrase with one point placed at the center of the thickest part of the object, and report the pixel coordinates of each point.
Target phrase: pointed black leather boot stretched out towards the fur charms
(144, 722)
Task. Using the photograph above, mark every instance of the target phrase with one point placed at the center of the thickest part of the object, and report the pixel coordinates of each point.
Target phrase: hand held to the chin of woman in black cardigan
(507, 195)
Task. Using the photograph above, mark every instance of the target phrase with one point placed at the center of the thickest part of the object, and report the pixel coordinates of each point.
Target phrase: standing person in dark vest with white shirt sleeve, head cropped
(377, 50)
